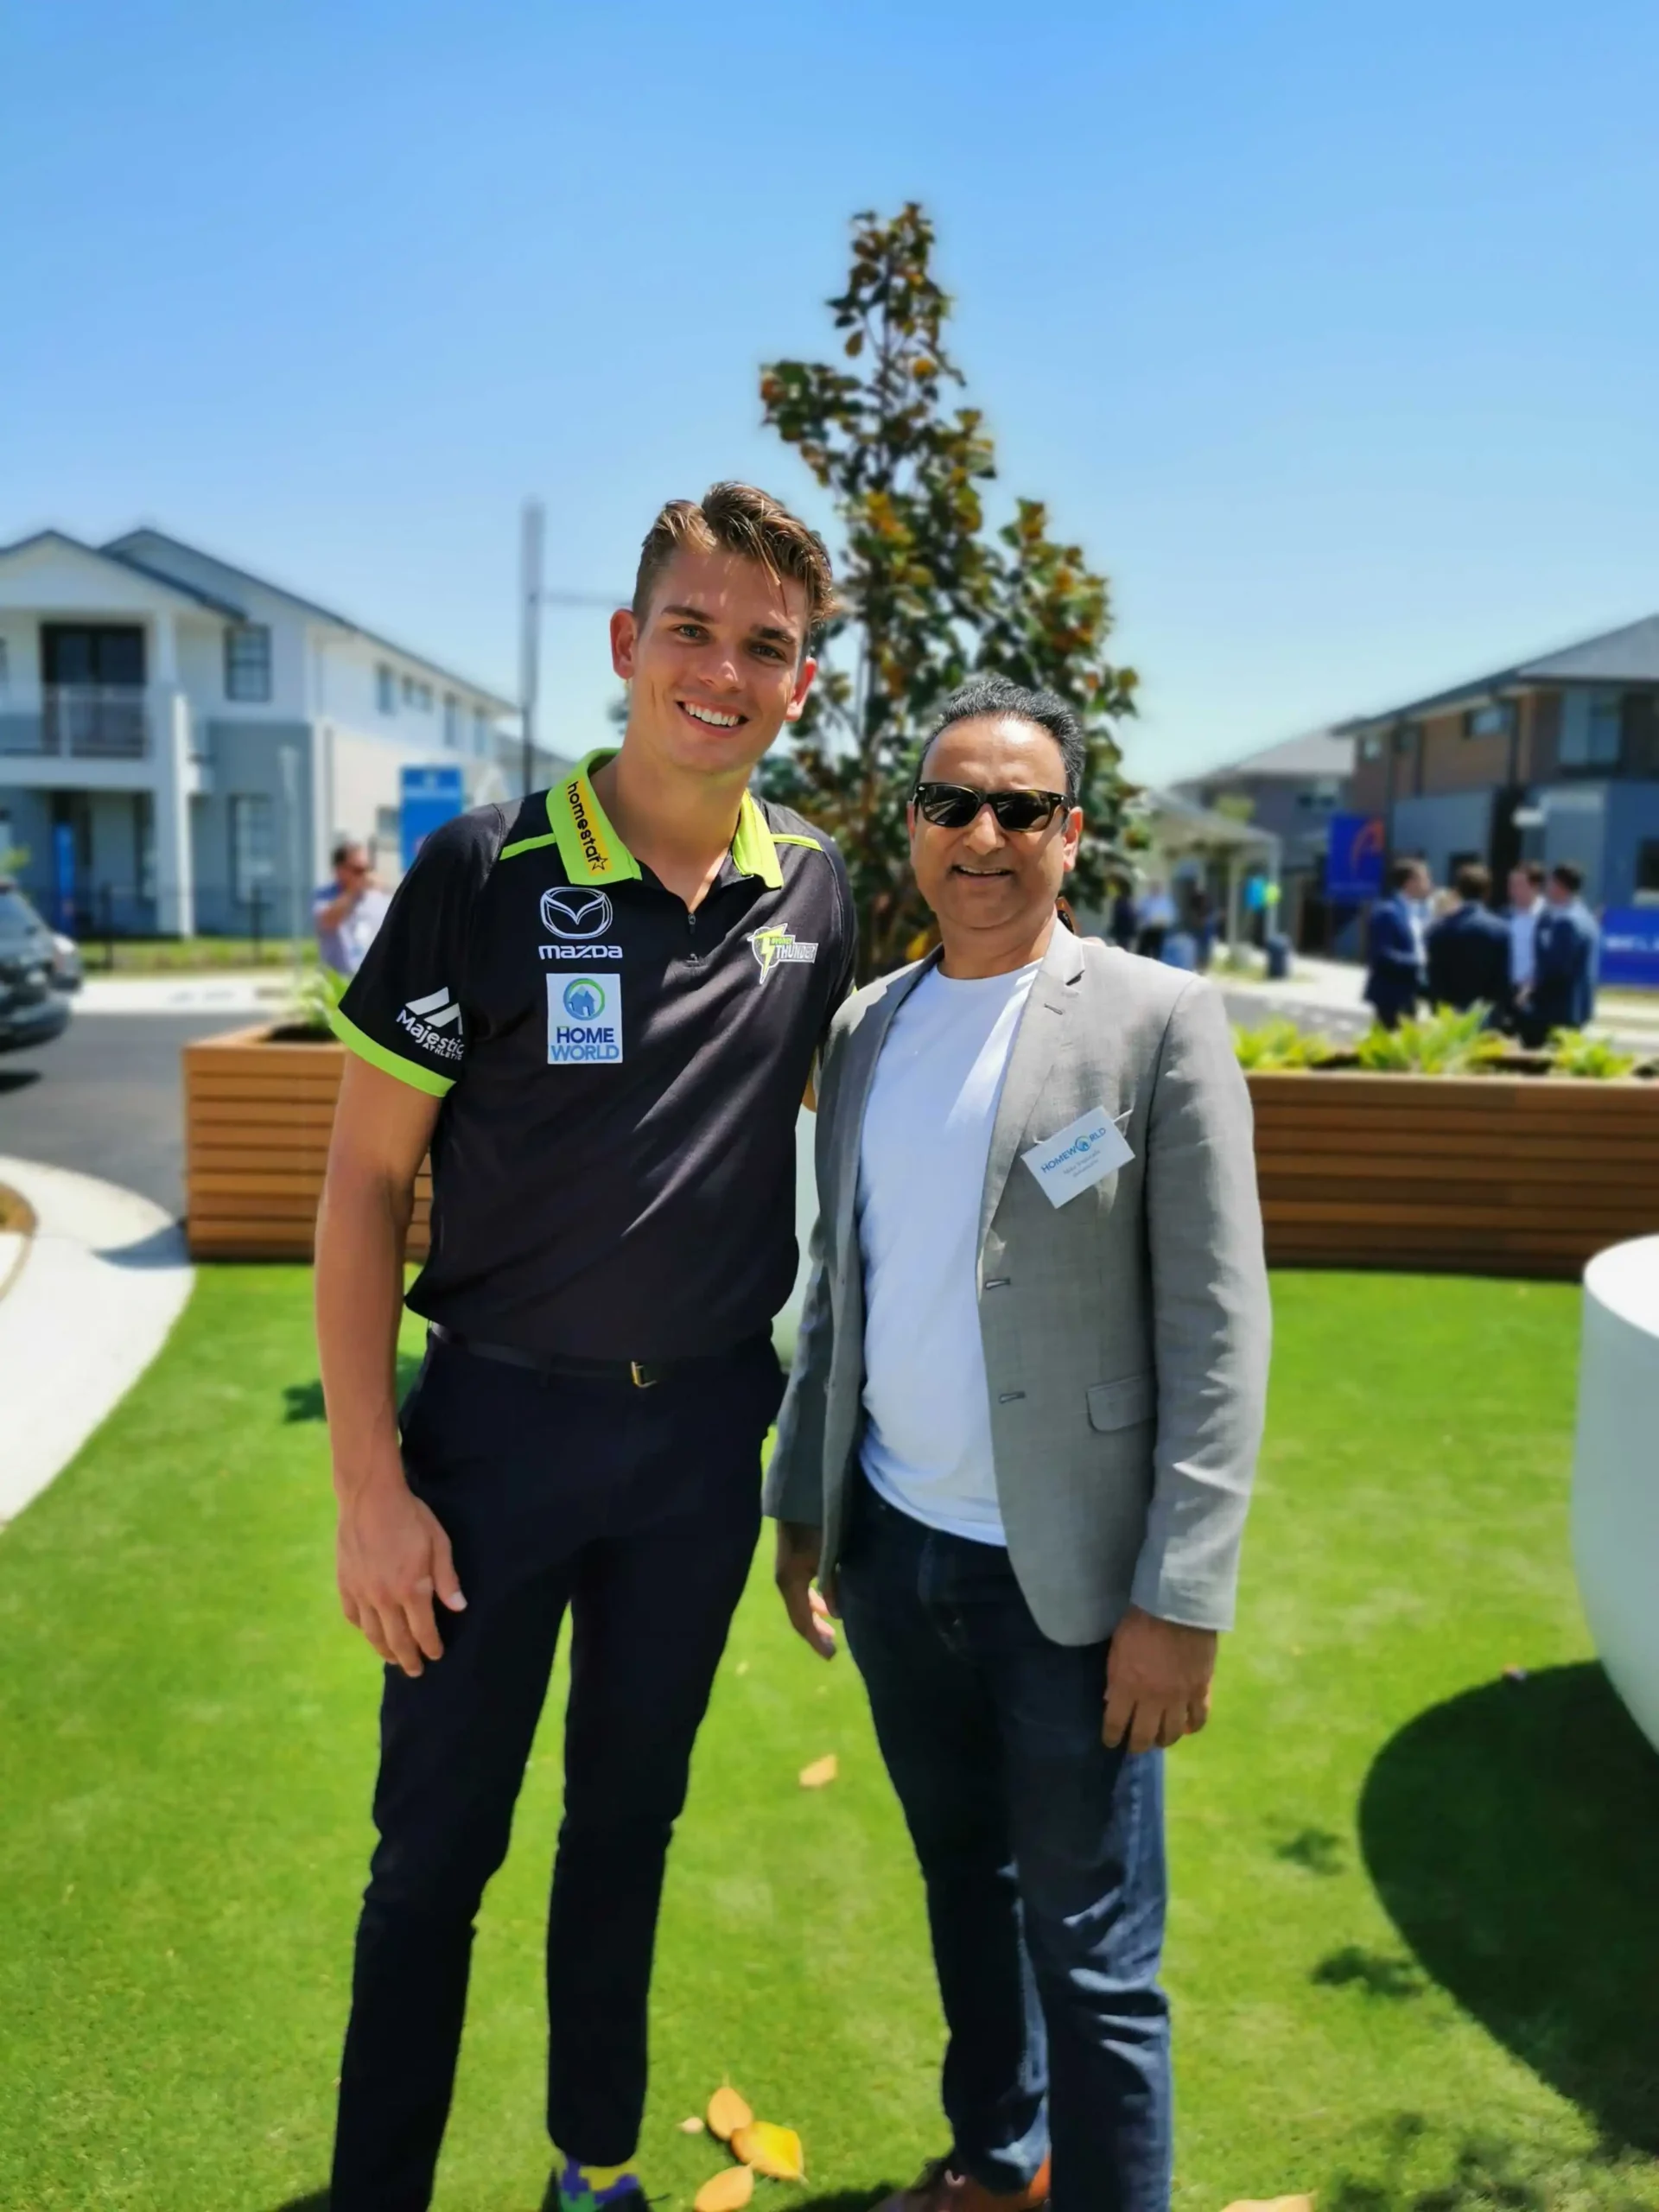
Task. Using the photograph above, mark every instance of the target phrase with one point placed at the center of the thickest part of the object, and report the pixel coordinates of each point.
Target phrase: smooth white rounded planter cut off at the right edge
(1616, 1472)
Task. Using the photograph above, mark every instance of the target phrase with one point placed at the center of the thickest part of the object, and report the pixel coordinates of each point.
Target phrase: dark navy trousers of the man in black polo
(636, 1512)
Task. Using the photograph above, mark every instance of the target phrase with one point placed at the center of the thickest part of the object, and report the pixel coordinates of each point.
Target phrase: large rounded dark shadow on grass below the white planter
(1512, 1839)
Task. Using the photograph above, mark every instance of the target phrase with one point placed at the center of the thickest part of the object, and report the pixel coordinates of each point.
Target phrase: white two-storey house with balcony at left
(182, 744)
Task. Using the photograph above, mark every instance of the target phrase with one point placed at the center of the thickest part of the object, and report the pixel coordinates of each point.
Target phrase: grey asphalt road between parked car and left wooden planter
(105, 1098)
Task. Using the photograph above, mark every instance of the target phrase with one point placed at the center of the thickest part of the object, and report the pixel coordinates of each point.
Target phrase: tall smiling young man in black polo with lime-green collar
(598, 1010)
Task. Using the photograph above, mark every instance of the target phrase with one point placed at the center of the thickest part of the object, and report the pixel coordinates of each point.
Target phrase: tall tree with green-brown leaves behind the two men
(928, 592)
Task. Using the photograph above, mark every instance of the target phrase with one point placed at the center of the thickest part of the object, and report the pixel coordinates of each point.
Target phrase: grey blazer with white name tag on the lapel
(1125, 1333)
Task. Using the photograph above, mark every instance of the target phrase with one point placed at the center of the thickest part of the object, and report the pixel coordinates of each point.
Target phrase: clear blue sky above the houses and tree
(1328, 328)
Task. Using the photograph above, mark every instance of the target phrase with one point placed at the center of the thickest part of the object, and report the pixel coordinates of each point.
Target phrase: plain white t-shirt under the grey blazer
(921, 1176)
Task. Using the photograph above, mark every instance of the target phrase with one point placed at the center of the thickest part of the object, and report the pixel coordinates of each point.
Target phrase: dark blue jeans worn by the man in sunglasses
(1043, 1857)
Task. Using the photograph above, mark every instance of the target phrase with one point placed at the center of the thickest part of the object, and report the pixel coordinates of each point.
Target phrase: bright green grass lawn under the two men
(1417, 1926)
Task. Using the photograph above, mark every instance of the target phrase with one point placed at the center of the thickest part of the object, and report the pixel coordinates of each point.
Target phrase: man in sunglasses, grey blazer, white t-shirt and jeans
(1019, 1448)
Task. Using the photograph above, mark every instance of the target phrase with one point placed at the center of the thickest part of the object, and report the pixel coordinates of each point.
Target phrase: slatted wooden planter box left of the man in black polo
(258, 1116)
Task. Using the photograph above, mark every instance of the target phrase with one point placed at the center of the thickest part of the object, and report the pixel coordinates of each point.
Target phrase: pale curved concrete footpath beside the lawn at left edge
(85, 1306)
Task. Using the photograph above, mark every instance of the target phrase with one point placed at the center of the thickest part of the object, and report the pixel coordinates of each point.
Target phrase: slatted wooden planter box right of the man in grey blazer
(1454, 1173)
